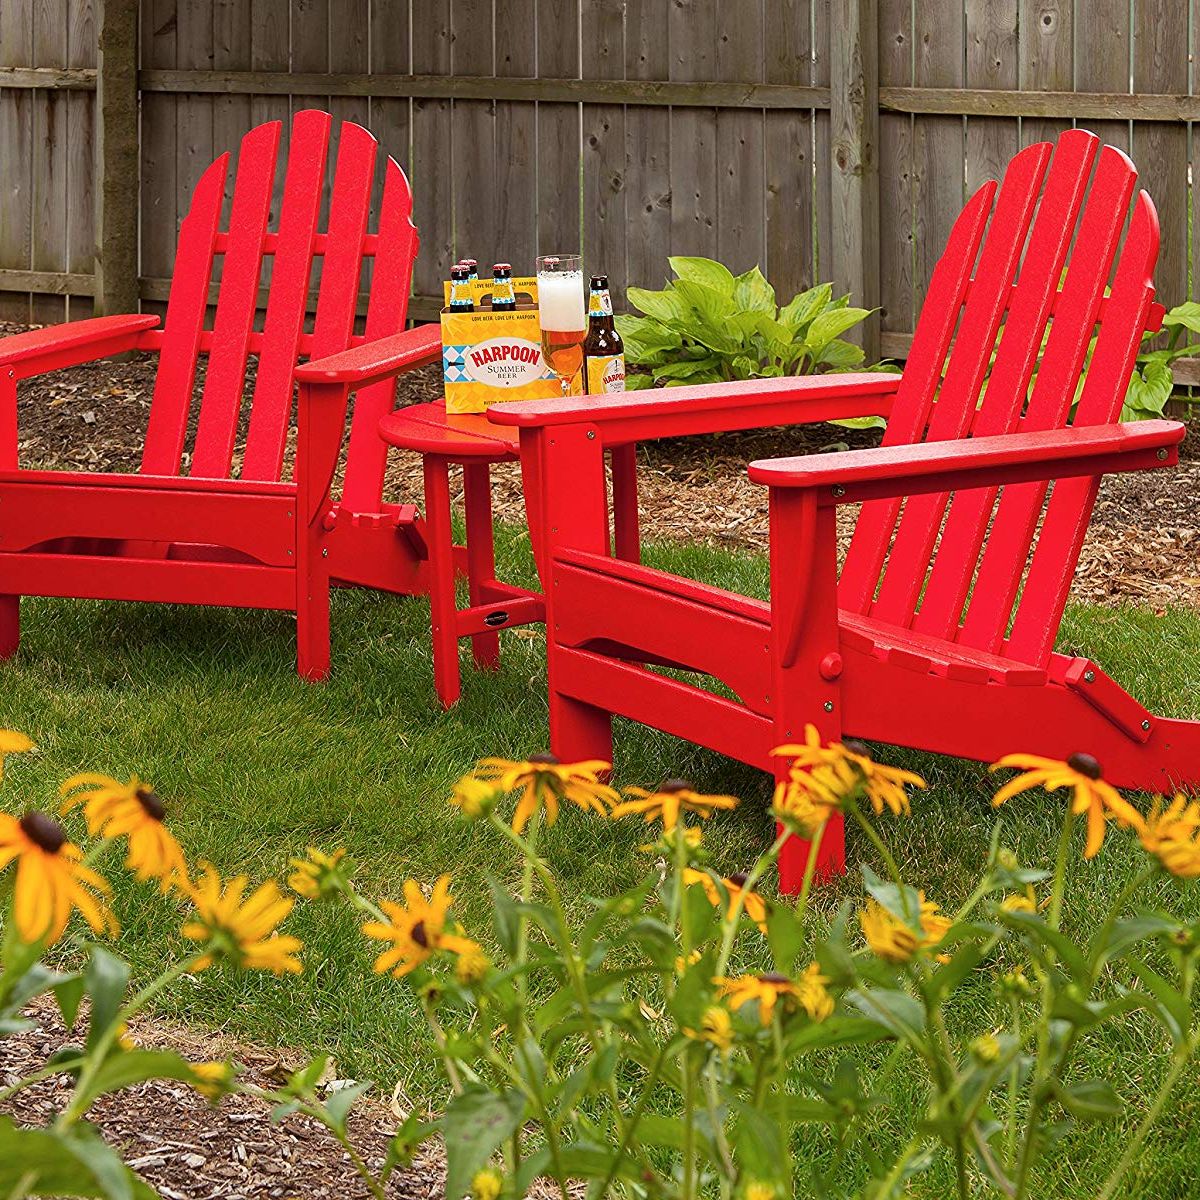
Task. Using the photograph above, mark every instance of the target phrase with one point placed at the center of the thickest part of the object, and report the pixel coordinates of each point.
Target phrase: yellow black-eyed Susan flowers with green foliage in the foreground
(686, 1037)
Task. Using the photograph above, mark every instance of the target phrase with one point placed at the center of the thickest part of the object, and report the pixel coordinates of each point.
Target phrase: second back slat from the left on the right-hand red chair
(956, 410)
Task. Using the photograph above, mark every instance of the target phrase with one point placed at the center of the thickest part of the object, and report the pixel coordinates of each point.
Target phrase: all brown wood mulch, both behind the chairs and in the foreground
(1144, 545)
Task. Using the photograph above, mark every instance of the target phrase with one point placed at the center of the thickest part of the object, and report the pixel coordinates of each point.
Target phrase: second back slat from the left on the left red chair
(221, 404)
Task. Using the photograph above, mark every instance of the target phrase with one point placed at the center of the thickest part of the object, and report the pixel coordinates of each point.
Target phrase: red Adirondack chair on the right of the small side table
(940, 633)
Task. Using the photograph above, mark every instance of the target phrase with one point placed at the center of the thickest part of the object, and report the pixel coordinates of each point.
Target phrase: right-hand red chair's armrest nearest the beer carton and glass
(710, 409)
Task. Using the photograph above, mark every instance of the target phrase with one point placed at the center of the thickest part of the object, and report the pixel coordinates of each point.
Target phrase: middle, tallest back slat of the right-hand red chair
(1021, 341)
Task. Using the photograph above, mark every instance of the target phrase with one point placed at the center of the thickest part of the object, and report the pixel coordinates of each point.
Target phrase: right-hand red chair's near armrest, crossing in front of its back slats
(976, 463)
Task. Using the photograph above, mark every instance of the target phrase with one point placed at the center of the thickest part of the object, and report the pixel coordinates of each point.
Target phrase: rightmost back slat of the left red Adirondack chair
(368, 455)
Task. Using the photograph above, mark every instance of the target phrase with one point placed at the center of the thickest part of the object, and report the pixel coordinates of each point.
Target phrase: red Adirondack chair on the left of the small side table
(215, 535)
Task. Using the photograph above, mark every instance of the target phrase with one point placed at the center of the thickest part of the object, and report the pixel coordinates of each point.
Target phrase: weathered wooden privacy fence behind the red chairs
(820, 139)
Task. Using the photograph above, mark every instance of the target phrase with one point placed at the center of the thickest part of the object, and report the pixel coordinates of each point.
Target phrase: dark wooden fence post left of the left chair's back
(117, 158)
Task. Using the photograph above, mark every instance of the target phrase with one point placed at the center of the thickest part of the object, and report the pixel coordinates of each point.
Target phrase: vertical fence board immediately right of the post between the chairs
(898, 313)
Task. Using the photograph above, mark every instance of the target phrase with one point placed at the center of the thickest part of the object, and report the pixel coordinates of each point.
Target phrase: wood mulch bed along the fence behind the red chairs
(1144, 543)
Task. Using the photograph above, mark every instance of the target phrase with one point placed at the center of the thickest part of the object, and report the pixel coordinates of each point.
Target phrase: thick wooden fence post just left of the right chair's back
(855, 143)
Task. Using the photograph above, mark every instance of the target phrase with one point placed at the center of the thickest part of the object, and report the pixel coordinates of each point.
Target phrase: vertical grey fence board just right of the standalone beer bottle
(647, 149)
